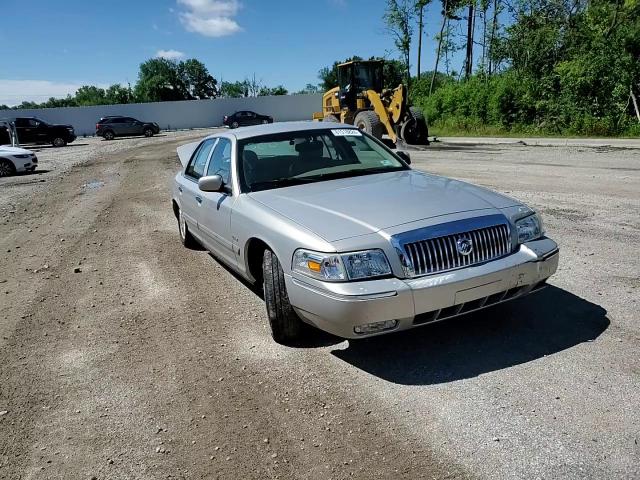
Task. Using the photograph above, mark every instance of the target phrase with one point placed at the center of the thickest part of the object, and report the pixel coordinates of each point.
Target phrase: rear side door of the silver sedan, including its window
(190, 194)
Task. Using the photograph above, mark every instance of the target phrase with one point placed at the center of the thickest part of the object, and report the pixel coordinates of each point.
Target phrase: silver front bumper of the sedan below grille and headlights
(339, 307)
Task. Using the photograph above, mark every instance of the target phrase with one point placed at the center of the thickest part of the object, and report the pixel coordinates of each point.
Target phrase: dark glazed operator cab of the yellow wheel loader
(356, 77)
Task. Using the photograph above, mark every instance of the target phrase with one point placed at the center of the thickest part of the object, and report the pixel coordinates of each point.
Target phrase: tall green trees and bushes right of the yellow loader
(529, 66)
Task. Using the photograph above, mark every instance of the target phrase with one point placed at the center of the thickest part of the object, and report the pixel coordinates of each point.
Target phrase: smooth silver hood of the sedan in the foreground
(349, 207)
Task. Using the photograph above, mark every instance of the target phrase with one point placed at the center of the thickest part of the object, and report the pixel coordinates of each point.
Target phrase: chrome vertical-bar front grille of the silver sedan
(439, 254)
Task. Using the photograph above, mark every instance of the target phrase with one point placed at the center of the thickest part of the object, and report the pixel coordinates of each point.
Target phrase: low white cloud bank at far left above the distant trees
(14, 92)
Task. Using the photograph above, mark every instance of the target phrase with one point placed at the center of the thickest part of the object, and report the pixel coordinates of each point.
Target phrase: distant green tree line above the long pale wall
(161, 80)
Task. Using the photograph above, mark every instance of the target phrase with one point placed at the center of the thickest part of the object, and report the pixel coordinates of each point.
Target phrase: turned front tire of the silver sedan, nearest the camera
(286, 326)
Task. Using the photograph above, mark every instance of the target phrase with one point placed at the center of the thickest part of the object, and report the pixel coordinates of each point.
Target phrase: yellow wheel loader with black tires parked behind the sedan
(361, 100)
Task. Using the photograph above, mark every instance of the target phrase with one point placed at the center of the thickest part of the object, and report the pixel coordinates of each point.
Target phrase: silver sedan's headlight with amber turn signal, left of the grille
(341, 267)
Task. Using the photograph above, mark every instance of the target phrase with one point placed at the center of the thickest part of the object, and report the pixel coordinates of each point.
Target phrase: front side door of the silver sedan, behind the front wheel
(214, 219)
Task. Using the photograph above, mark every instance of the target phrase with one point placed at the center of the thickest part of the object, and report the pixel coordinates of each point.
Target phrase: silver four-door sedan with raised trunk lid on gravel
(344, 235)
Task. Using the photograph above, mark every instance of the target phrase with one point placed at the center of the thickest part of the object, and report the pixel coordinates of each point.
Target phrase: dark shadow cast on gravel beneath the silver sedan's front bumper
(493, 339)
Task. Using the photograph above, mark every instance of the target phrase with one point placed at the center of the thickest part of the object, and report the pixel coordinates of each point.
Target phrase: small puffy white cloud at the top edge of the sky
(211, 18)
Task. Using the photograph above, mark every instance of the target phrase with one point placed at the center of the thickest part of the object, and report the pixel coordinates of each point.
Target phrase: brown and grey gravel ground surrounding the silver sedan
(126, 356)
